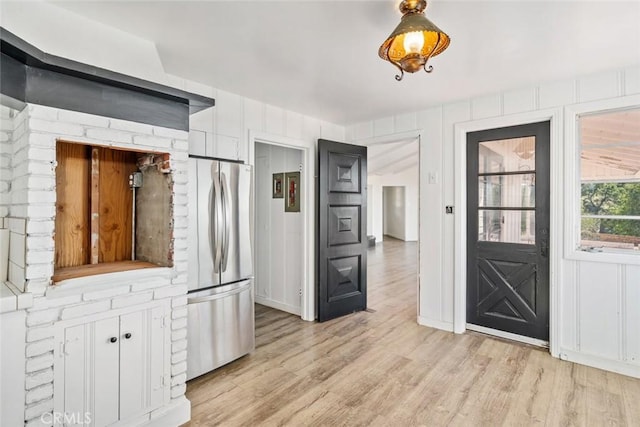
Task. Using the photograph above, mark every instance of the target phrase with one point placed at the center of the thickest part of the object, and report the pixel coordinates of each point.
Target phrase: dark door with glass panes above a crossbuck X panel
(508, 229)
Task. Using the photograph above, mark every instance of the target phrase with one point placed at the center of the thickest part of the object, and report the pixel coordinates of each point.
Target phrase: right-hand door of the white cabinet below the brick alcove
(141, 362)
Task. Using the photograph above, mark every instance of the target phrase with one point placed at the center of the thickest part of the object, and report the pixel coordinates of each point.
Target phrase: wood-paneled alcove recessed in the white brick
(102, 223)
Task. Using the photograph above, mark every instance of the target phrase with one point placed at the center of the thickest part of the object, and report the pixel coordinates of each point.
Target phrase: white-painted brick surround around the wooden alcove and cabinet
(27, 196)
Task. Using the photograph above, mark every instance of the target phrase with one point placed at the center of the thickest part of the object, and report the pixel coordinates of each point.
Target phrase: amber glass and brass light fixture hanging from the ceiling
(414, 41)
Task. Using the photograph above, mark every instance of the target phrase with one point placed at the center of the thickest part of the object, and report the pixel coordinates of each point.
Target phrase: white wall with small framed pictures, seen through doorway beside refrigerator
(279, 234)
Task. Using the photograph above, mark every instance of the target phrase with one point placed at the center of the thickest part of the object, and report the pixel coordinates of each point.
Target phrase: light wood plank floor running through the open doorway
(382, 369)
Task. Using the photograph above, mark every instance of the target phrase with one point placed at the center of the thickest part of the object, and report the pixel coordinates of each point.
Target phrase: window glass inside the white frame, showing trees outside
(610, 179)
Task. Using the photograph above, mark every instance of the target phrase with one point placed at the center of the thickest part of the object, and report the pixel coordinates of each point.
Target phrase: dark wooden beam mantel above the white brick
(32, 76)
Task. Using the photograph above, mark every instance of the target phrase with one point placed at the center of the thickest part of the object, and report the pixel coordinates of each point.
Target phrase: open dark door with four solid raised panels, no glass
(342, 229)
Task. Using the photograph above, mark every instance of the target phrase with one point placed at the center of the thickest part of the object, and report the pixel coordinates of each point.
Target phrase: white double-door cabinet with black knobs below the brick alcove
(113, 367)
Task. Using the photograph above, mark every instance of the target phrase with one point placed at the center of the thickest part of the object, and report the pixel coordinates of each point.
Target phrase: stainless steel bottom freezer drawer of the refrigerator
(220, 327)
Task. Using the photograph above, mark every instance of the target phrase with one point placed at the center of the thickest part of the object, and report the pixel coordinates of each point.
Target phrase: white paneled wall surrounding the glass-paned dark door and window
(599, 303)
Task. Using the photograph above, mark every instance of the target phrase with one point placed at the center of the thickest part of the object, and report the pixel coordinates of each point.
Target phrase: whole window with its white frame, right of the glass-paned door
(603, 143)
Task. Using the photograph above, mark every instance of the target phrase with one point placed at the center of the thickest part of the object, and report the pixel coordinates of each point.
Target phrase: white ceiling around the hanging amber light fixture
(320, 57)
